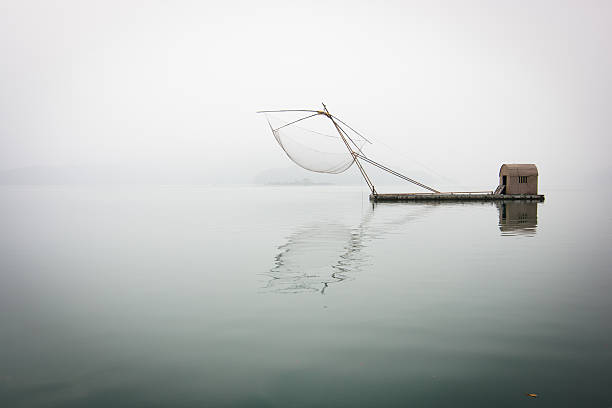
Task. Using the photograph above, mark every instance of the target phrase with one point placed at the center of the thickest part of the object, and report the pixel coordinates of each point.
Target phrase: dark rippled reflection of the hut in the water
(518, 217)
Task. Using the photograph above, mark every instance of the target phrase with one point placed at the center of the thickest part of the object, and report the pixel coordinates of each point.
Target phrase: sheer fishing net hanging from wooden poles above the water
(312, 142)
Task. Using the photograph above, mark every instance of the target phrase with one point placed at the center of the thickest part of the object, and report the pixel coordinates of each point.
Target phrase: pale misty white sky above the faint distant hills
(460, 86)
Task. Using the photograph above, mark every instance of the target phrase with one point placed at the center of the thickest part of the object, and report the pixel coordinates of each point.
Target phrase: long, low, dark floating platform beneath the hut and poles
(454, 197)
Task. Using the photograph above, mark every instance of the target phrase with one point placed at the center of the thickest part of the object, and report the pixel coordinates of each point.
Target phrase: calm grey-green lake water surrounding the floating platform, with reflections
(301, 296)
